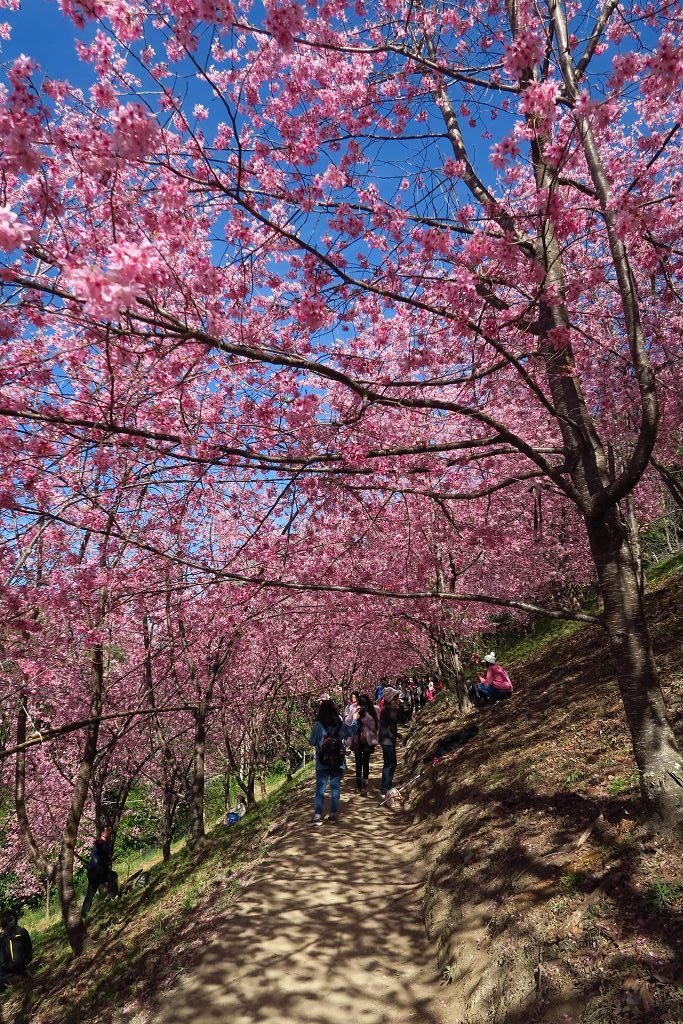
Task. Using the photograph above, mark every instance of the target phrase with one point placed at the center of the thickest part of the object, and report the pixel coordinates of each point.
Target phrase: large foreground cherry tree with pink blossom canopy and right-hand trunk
(300, 275)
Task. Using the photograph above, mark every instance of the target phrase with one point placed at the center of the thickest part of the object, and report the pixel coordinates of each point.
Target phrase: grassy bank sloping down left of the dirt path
(140, 932)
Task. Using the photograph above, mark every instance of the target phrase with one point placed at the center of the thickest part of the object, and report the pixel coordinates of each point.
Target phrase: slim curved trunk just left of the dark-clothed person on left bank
(71, 913)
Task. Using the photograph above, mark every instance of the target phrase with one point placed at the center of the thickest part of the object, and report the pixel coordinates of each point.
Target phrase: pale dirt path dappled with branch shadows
(330, 932)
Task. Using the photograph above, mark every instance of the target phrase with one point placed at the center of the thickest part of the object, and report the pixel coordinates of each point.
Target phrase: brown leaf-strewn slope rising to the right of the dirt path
(545, 900)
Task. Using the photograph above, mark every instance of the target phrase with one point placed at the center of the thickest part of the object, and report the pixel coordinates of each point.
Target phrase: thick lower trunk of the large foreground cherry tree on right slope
(657, 752)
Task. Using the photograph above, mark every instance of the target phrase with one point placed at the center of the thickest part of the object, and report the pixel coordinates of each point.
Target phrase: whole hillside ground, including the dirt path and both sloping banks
(544, 901)
